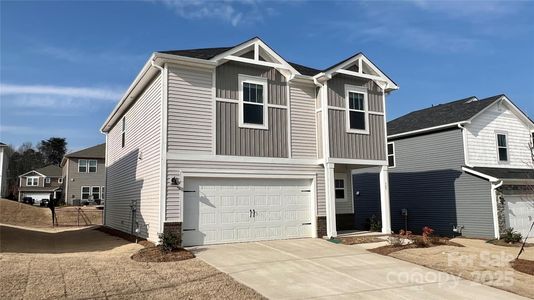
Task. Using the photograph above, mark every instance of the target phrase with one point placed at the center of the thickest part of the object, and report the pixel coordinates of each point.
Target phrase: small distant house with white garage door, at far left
(41, 183)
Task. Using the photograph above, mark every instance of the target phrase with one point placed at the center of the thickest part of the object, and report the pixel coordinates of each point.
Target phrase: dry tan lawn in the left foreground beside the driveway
(89, 264)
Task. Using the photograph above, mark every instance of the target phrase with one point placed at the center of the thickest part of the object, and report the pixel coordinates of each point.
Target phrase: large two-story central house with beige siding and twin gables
(235, 144)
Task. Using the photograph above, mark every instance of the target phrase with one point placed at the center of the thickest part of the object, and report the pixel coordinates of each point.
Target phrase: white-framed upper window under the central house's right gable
(357, 110)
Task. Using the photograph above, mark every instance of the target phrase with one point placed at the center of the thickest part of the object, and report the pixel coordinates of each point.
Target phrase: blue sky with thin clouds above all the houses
(64, 65)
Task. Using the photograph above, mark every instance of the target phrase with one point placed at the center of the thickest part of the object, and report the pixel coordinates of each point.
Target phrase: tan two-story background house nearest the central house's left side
(85, 175)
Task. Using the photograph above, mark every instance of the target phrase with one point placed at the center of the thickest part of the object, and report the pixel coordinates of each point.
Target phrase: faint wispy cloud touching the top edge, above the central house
(235, 12)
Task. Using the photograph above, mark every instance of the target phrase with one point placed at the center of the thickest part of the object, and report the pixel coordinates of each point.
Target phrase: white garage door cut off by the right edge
(520, 213)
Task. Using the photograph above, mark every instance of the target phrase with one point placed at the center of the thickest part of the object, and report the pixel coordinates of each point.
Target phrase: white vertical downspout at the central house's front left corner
(163, 145)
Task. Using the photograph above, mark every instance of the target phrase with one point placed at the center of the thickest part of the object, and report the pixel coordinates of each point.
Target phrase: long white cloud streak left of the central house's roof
(52, 90)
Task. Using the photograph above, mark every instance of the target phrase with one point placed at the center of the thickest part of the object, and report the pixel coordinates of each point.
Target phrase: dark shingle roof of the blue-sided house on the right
(442, 114)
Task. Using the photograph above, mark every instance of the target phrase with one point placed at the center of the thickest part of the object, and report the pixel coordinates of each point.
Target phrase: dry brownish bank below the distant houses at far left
(20, 214)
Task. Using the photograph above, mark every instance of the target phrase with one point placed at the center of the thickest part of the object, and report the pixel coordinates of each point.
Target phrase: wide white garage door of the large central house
(218, 210)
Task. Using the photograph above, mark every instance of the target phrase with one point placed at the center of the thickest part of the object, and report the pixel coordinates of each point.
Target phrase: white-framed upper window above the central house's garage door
(253, 102)
